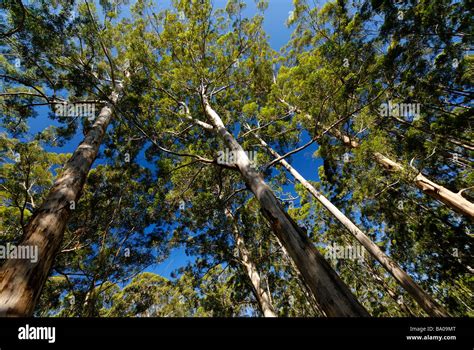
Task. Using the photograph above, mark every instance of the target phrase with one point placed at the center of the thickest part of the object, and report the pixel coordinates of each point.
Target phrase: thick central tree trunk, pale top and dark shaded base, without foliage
(333, 296)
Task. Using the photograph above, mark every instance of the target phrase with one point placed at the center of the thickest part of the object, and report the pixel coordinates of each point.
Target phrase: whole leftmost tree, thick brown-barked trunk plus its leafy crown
(22, 281)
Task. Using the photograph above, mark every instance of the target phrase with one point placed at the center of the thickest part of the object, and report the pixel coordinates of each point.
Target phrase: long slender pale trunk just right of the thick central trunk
(424, 300)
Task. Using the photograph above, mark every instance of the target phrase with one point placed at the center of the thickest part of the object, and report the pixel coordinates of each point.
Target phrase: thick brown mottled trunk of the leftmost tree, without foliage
(21, 281)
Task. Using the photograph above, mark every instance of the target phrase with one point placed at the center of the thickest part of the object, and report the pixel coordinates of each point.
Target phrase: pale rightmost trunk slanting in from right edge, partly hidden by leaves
(453, 200)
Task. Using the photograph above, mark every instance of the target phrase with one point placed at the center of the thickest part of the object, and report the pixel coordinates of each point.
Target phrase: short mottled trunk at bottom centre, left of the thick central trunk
(263, 298)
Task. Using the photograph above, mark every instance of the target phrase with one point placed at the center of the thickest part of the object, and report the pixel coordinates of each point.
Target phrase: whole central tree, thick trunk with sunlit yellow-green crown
(212, 61)
